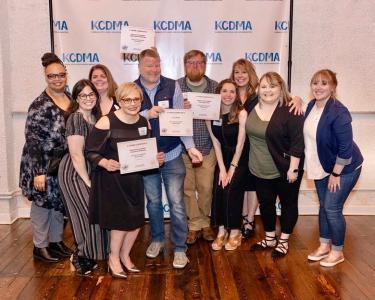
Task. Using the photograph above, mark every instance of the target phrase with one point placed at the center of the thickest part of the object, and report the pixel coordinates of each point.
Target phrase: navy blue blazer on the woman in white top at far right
(334, 137)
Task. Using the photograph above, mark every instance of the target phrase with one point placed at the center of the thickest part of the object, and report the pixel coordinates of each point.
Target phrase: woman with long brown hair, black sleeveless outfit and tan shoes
(228, 137)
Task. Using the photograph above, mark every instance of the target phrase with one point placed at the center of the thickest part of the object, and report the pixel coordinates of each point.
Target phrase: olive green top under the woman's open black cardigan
(261, 163)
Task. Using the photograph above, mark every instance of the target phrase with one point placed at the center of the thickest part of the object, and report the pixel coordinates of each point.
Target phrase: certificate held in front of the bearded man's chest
(204, 106)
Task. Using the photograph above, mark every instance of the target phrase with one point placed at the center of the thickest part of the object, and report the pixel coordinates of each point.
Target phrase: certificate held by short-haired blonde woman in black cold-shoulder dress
(137, 155)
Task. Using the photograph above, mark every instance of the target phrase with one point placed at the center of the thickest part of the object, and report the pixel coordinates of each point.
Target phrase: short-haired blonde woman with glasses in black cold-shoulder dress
(117, 201)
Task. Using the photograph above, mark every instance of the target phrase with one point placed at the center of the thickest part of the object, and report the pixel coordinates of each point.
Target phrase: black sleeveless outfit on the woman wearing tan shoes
(227, 203)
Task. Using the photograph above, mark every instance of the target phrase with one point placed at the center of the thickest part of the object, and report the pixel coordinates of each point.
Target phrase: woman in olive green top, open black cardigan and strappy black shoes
(276, 160)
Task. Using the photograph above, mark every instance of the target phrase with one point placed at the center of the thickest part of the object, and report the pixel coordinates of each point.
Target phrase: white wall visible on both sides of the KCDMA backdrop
(327, 34)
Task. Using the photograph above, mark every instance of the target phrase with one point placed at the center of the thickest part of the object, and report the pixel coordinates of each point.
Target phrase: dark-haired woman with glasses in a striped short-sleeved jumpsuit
(75, 181)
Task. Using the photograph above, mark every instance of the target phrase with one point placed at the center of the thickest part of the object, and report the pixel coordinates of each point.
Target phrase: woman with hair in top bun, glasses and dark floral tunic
(44, 147)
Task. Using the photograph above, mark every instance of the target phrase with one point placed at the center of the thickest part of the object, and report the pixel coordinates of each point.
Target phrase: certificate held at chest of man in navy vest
(176, 122)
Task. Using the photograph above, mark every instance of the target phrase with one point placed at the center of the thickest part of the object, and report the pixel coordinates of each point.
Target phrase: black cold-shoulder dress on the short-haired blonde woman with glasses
(116, 201)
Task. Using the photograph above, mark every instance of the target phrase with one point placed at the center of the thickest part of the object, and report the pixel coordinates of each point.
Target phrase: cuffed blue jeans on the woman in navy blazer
(331, 219)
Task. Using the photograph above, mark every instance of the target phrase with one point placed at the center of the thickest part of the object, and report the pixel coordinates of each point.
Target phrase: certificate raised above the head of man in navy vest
(136, 39)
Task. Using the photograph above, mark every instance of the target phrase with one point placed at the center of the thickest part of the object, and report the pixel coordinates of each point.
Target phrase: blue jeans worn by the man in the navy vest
(172, 173)
